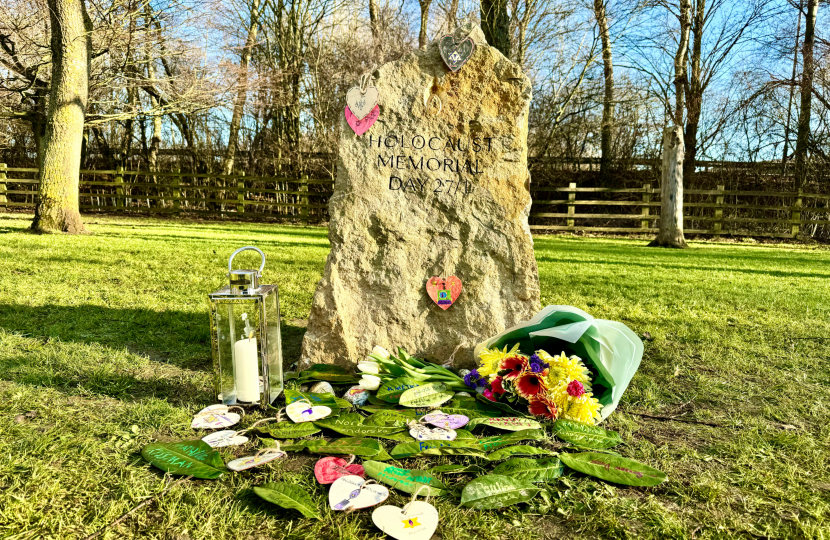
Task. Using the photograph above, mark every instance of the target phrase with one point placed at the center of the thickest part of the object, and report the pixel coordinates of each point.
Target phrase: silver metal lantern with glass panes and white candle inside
(245, 337)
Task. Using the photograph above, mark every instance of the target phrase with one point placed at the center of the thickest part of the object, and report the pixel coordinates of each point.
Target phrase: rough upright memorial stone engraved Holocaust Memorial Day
(422, 195)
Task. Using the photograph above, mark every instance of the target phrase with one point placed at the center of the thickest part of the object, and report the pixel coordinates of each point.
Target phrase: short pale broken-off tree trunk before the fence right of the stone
(671, 191)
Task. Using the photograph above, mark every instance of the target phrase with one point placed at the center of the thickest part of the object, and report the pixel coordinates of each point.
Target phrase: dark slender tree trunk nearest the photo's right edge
(807, 71)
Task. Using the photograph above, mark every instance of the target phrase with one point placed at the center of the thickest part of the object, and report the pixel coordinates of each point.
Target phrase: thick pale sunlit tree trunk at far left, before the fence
(57, 208)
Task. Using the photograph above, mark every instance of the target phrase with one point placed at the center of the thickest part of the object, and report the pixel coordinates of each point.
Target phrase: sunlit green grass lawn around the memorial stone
(106, 337)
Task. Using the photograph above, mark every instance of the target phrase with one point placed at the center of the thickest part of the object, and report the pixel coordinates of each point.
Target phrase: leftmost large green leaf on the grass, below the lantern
(195, 458)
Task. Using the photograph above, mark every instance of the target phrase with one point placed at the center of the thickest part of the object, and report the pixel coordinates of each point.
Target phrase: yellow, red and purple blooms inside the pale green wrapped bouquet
(549, 386)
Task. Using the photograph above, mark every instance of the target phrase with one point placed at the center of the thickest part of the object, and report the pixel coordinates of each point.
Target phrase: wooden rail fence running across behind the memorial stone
(718, 211)
